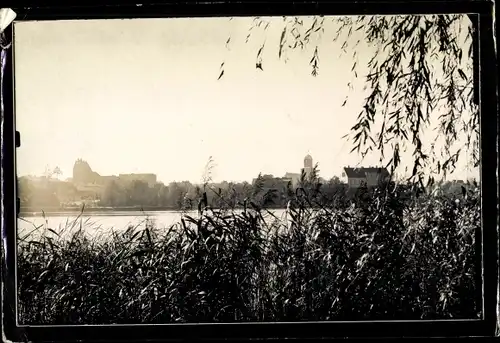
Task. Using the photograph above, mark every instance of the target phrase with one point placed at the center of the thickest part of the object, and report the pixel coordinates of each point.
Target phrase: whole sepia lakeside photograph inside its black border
(247, 169)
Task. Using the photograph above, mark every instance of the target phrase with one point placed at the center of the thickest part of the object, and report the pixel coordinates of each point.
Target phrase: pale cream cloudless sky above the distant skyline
(143, 96)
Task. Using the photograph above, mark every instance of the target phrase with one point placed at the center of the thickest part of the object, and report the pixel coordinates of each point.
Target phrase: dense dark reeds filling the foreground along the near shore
(385, 254)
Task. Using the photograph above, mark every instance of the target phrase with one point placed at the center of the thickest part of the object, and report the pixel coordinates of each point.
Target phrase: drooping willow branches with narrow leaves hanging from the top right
(420, 65)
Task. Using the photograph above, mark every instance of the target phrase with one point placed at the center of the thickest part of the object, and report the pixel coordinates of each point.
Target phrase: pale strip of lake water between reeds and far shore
(99, 223)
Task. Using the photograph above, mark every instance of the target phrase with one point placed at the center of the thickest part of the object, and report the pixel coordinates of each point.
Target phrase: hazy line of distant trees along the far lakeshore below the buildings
(264, 191)
